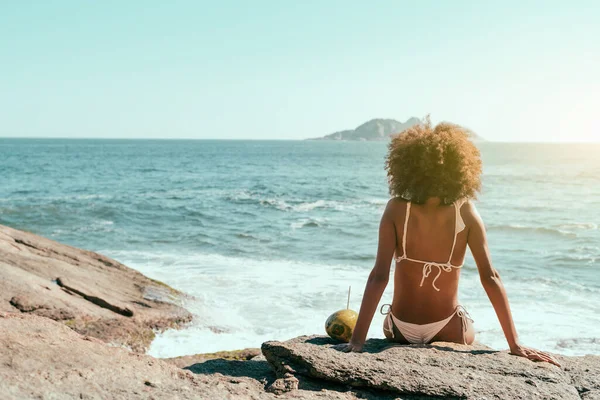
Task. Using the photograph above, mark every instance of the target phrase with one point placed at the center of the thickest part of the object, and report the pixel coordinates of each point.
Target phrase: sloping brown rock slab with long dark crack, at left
(86, 291)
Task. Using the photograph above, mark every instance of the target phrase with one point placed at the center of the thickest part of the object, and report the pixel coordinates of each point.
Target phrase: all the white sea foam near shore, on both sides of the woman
(243, 302)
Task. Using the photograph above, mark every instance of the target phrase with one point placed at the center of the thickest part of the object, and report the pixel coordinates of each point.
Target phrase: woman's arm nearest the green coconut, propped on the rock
(377, 281)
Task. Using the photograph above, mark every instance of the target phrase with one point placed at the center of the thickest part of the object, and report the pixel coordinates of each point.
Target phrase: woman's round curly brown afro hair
(424, 162)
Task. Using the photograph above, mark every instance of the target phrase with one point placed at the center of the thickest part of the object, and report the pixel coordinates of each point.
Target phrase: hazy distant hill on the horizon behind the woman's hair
(378, 129)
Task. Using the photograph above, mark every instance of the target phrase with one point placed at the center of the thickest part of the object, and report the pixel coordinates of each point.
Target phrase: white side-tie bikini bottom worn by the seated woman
(424, 333)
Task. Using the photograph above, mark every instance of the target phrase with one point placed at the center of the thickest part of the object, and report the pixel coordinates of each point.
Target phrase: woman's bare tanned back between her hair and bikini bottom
(430, 236)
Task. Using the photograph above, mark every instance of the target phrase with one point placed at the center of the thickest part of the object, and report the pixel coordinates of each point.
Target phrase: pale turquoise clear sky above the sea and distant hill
(510, 71)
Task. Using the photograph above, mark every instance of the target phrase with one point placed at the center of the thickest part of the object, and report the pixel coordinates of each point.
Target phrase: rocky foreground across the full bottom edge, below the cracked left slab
(42, 358)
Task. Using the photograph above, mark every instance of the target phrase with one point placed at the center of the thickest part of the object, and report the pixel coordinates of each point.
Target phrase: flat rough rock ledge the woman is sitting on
(440, 370)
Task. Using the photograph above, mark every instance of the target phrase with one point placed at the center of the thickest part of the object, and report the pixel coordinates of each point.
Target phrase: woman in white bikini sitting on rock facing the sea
(433, 174)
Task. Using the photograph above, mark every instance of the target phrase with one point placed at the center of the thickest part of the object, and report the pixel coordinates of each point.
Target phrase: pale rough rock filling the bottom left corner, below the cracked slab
(42, 358)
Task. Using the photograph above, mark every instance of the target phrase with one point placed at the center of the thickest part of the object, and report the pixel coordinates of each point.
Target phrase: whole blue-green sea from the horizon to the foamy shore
(268, 235)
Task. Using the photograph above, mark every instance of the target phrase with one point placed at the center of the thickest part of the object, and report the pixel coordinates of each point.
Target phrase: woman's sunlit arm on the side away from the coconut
(490, 279)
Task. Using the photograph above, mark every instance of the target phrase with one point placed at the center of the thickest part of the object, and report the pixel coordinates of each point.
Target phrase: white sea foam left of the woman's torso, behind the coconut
(249, 300)
